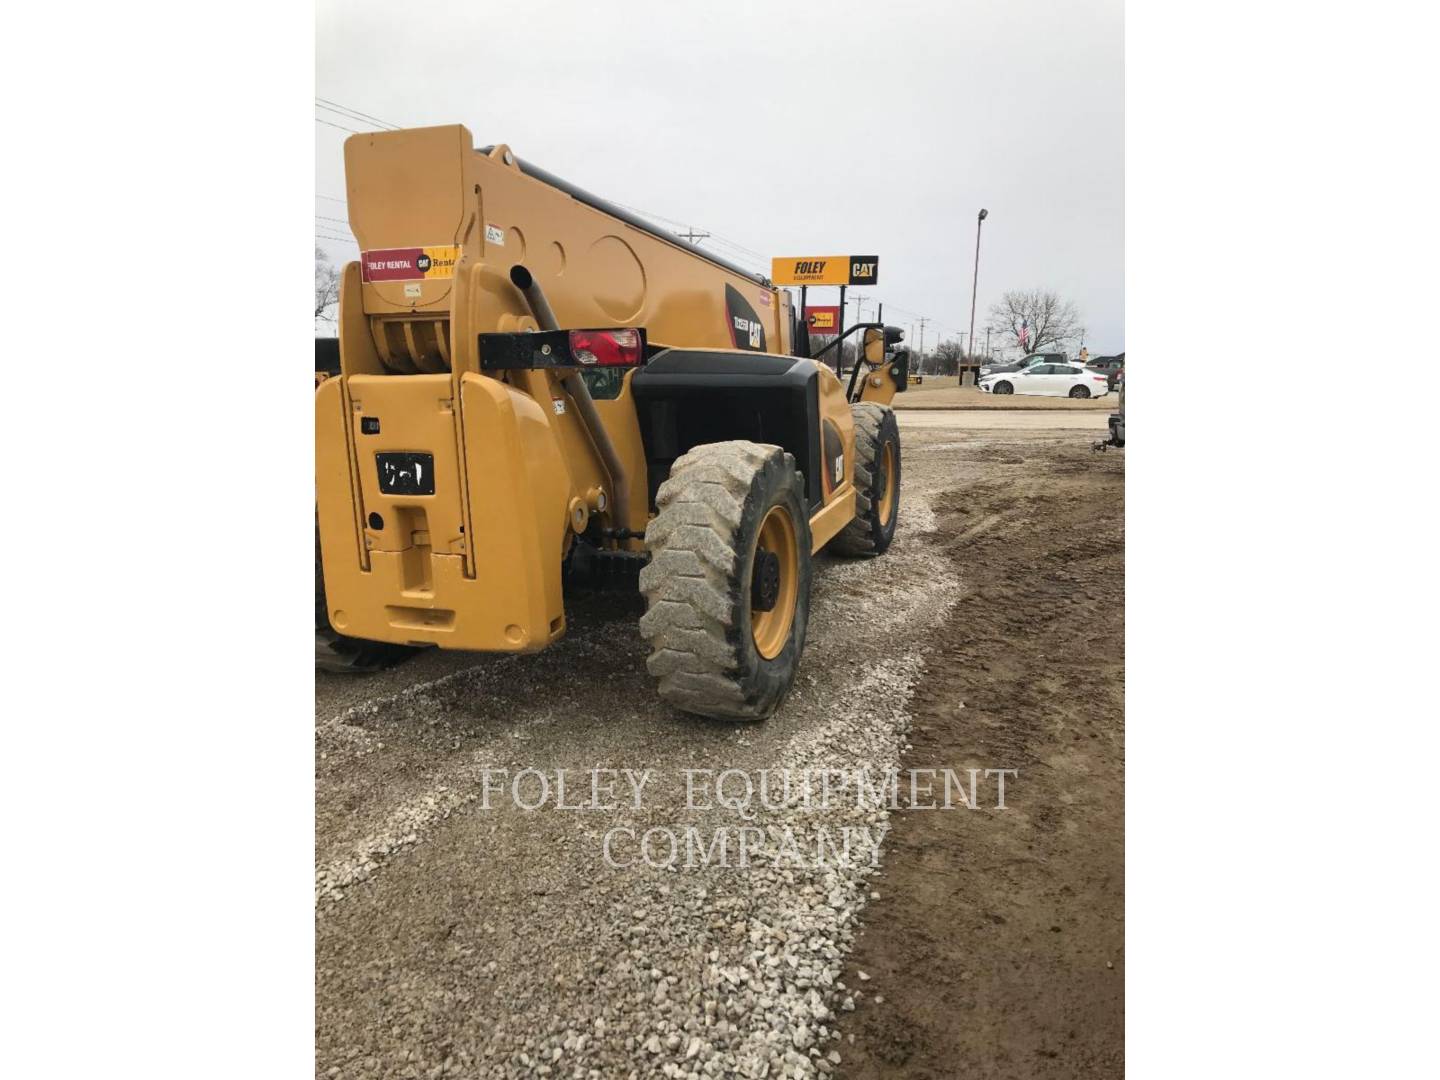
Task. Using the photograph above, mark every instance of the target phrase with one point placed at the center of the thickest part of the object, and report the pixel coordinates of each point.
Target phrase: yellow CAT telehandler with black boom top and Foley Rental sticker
(535, 385)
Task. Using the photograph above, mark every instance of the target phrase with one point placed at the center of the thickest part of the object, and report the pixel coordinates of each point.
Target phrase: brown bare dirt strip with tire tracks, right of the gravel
(997, 944)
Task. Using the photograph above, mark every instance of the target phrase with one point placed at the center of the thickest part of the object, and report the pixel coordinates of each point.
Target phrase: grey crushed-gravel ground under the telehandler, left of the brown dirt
(466, 937)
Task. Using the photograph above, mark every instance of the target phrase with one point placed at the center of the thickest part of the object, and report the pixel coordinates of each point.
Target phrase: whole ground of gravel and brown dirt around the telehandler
(457, 938)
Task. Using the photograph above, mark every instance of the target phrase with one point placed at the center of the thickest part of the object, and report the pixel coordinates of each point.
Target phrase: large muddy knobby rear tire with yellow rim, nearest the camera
(728, 584)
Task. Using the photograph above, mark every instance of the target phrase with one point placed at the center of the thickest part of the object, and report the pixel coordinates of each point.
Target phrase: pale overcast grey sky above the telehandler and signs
(784, 129)
